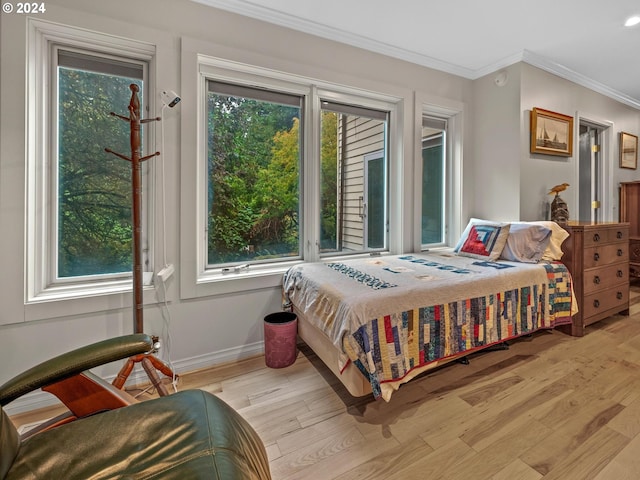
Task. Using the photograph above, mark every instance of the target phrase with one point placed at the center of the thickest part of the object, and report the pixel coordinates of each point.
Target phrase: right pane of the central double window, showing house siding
(353, 210)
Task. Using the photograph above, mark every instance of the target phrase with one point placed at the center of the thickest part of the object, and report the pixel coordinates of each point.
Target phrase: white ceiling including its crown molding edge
(584, 41)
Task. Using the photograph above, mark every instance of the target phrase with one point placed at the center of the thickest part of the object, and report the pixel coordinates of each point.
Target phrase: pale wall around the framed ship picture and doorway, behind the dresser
(510, 182)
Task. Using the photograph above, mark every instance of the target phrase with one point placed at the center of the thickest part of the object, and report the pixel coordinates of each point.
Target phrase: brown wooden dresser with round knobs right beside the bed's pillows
(597, 255)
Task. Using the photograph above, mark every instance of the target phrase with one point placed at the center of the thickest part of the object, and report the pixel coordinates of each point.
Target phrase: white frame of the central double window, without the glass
(195, 279)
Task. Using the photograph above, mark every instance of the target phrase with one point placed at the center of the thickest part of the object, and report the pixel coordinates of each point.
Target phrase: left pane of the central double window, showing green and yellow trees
(253, 169)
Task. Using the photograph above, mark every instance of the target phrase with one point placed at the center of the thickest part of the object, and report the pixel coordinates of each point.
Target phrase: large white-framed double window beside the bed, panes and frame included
(288, 171)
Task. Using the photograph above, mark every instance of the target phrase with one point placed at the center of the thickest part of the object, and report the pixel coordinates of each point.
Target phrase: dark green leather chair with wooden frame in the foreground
(187, 435)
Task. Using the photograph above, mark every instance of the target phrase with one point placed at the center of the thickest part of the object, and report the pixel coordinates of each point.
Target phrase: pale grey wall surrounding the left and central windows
(205, 330)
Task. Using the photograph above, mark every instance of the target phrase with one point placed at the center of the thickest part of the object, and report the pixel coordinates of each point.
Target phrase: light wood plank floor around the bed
(552, 407)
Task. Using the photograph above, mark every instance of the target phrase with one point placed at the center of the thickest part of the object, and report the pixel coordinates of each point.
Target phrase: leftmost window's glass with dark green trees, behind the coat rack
(94, 231)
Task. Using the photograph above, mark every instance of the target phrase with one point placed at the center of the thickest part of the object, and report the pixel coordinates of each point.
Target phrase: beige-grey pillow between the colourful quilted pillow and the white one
(526, 243)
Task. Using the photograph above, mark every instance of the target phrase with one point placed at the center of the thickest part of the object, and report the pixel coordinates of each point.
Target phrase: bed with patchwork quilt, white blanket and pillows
(378, 322)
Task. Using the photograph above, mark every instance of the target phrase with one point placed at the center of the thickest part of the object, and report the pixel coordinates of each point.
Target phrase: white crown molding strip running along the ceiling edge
(268, 15)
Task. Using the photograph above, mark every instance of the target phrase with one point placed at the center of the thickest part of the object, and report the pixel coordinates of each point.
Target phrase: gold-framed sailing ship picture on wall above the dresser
(551, 133)
